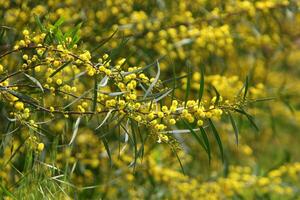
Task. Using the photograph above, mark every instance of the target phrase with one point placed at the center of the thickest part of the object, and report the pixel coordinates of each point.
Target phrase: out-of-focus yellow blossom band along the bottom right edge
(240, 181)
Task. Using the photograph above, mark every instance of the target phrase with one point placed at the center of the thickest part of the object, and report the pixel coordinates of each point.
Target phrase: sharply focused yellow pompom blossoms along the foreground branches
(58, 68)
